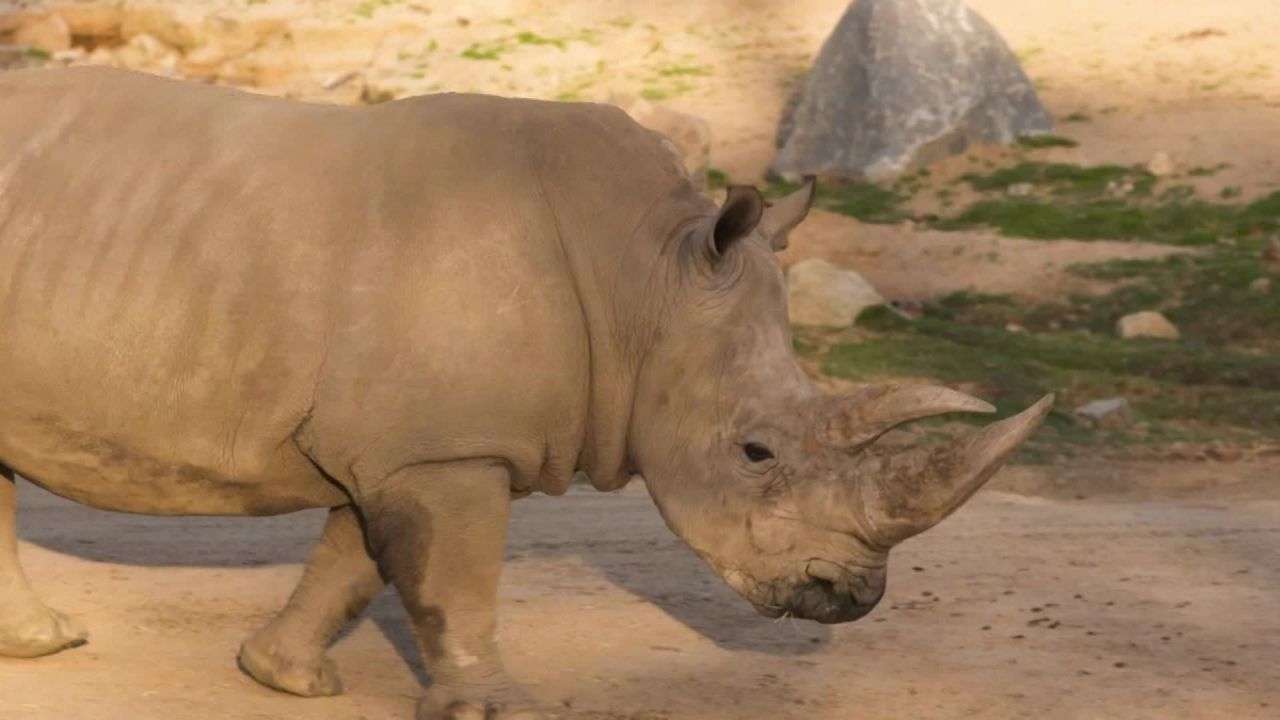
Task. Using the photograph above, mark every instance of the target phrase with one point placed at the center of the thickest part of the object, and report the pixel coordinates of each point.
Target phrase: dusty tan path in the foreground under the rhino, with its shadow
(1018, 608)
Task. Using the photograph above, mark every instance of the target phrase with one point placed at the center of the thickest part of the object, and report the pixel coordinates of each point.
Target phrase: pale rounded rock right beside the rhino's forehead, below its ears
(829, 297)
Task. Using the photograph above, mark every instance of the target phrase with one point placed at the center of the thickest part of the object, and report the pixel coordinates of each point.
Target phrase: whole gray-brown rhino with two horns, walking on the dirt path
(217, 303)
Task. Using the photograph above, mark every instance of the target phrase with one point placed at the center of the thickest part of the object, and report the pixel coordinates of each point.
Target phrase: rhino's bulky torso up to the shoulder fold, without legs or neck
(190, 275)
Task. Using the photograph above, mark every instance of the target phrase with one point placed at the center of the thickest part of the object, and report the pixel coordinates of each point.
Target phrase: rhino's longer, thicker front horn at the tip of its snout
(917, 490)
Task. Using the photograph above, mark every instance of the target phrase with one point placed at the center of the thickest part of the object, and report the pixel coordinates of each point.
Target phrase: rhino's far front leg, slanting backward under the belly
(339, 582)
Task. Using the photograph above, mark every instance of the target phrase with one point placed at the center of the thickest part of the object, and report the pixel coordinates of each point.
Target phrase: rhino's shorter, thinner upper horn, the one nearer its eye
(854, 421)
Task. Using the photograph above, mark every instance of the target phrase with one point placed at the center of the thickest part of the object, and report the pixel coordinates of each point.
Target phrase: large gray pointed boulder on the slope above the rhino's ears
(902, 83)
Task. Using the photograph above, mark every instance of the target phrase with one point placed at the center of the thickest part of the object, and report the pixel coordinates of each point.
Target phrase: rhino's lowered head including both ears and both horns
(783, 490)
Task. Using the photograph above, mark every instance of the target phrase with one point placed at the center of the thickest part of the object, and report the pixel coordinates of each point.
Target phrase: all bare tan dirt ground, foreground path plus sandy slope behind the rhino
(1136, 591)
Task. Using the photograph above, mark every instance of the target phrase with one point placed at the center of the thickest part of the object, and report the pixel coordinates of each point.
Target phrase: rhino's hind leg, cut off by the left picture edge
(28, 627)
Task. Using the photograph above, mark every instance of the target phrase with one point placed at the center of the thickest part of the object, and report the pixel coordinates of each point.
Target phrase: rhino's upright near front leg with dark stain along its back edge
(438, 534)
